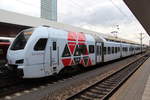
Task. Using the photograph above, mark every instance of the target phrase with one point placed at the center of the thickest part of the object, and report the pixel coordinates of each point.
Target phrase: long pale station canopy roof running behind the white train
(13, 18)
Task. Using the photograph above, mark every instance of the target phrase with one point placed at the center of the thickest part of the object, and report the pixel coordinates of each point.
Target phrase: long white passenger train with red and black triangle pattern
(44, 51)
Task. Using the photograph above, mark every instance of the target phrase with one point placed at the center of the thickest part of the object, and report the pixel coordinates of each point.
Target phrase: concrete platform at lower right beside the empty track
(137, 87)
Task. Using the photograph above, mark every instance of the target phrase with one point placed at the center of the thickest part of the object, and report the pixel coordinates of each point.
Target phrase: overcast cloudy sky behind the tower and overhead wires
(97, 15)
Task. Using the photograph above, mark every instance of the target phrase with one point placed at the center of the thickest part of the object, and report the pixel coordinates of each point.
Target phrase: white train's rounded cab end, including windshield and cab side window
(26, 54)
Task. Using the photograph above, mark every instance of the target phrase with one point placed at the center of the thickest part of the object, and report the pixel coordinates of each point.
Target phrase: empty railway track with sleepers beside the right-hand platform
(105, 88)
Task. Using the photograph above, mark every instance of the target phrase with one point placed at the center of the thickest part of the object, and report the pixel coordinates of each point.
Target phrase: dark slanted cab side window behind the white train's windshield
(41, 44)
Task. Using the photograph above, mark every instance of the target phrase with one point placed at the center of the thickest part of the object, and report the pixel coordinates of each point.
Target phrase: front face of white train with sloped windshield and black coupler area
(16, 52)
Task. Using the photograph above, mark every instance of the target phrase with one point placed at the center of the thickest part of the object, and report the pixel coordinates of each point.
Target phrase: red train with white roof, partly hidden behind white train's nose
(4, 45)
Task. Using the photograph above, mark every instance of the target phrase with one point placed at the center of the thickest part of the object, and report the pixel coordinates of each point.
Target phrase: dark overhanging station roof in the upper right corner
(140, 9)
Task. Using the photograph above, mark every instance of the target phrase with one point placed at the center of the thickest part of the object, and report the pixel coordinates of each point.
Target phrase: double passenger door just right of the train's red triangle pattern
(98, 52)
